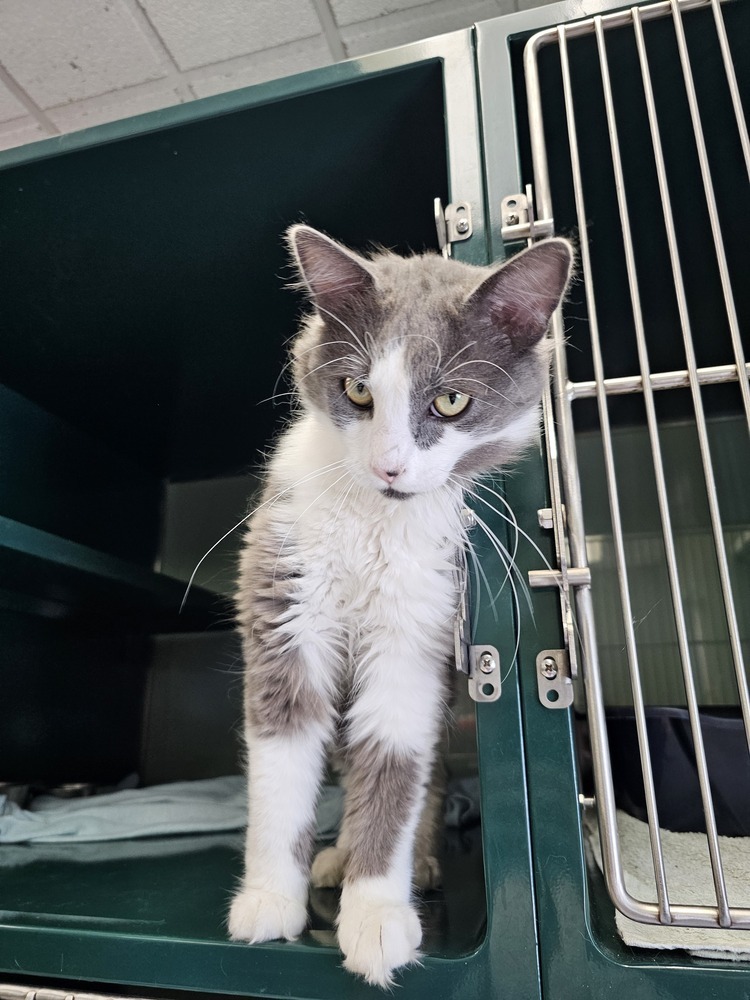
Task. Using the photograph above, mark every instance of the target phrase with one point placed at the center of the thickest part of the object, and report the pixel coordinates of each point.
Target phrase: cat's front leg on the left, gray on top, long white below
(288, 725)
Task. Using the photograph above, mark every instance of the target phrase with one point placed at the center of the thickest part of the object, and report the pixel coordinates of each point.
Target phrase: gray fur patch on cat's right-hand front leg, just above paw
(382, 789)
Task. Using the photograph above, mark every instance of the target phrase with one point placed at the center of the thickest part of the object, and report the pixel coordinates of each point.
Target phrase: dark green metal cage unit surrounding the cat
(144, 328)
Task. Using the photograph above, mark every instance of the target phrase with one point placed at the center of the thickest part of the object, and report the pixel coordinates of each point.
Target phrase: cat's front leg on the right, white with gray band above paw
(393, 730)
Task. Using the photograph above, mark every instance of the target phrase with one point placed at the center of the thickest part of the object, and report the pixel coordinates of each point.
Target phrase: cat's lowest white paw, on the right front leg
(379, 938)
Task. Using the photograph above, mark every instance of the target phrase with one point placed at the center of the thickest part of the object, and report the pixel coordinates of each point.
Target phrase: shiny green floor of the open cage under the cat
(179, 888)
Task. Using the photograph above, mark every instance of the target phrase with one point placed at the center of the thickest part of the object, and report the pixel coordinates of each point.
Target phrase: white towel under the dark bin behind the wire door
(689, 881)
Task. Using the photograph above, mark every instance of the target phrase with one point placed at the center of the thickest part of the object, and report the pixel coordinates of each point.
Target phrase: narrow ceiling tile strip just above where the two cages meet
(411, 25)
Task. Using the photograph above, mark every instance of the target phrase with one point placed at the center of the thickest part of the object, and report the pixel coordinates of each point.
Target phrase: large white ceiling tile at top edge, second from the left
(198, 33)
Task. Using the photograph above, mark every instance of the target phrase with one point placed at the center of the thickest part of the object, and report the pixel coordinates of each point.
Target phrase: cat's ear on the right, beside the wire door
(519, 298)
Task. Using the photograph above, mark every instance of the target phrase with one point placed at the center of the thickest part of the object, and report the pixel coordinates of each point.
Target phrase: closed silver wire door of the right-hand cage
(640, 149)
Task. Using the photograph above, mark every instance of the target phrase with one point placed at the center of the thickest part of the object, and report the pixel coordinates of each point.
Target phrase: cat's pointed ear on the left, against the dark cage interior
(337, 280)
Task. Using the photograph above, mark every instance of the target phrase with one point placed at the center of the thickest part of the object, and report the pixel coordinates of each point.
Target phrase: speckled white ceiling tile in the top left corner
(68, 50)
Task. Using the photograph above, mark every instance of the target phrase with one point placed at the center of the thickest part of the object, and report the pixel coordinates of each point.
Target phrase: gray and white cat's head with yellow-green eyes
(429, 368)
